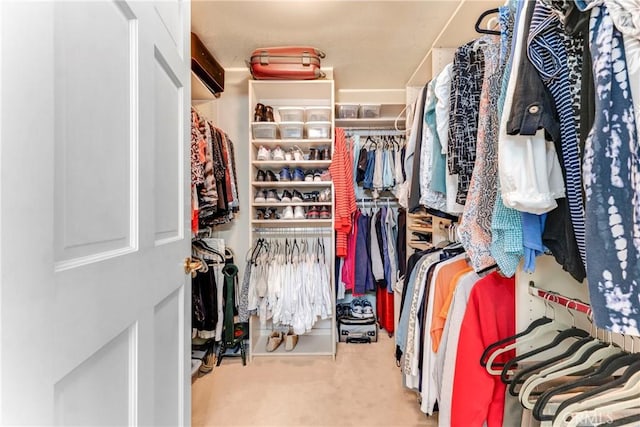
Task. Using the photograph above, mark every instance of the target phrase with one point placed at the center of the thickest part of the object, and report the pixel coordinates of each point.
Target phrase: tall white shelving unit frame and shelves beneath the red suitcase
(321, 340)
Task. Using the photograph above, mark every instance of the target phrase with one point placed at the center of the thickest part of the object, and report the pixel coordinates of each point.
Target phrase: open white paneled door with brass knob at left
(94, 302)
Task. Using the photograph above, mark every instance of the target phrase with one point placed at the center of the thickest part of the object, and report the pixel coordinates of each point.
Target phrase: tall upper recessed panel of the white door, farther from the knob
(94, 115)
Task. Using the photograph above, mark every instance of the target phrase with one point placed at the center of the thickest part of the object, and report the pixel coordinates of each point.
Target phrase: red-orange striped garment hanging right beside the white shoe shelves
(344, 194)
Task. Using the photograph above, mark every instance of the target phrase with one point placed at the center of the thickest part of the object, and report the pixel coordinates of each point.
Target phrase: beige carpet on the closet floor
(362, 387)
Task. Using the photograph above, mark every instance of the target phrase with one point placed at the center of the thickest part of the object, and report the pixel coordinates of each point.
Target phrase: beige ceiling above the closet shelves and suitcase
(369, 44)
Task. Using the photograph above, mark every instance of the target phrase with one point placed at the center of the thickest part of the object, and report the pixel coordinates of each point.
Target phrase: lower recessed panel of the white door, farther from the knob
(83, 397)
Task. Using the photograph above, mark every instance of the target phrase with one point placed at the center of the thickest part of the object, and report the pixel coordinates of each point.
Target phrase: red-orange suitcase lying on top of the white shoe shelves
(286, 63)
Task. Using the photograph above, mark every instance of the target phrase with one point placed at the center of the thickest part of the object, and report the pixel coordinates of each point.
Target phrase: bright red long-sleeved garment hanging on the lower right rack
(490, 317)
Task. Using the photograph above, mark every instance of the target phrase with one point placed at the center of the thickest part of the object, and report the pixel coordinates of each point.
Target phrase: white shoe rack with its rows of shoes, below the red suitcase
(268, 214)
